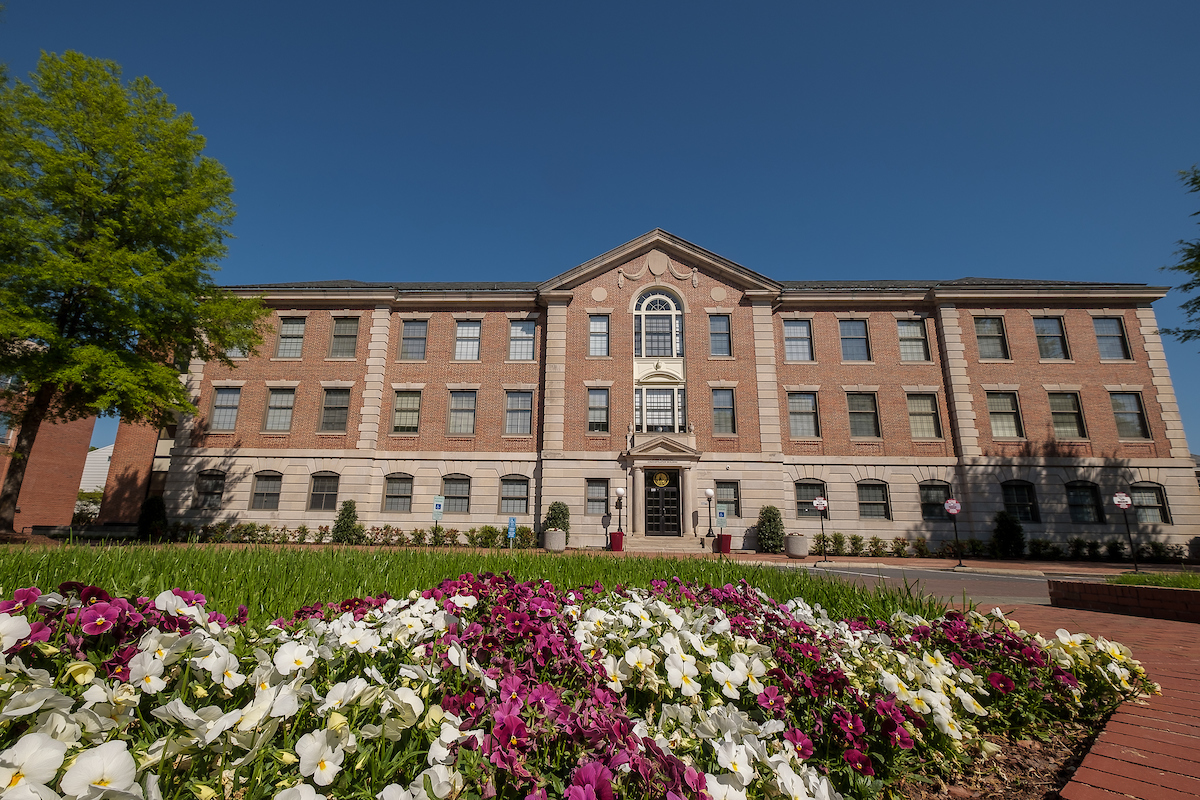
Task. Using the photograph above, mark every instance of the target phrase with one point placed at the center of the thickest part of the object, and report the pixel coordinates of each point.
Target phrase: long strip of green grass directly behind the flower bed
(274, 582)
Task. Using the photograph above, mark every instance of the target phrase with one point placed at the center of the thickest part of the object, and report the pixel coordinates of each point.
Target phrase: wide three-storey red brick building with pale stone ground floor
(667, 371)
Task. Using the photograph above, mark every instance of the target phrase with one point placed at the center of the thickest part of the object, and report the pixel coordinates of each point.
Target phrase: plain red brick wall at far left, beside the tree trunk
(52, 480)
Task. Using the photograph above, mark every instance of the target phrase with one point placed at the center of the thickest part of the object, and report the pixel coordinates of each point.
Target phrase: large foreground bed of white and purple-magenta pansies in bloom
(487, 688)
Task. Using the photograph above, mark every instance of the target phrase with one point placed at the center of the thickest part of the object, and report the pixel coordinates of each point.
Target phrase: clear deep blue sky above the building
(466, 141)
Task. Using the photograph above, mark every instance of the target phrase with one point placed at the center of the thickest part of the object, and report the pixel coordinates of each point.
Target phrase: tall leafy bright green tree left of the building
(111, 225)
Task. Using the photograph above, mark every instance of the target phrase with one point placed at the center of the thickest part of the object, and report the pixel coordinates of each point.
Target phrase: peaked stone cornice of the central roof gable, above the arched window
(673, 246)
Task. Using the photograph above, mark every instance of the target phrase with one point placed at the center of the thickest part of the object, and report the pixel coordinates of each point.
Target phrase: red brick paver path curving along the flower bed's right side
(1151, 751)
